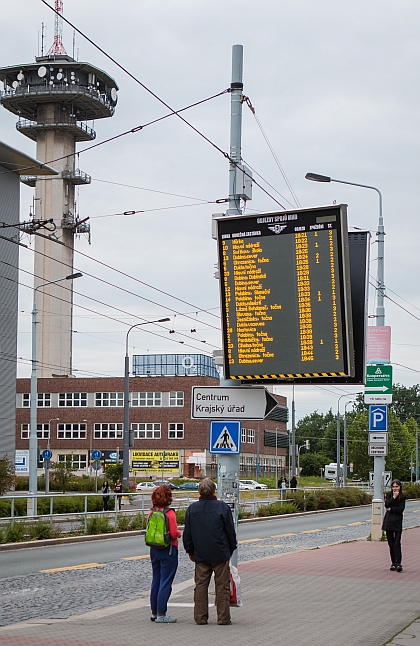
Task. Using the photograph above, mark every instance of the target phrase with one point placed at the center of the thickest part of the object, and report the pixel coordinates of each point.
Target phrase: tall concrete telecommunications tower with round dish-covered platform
(54, 98)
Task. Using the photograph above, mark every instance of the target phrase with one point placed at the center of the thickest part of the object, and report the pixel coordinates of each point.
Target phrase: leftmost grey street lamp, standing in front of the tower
(33, 484)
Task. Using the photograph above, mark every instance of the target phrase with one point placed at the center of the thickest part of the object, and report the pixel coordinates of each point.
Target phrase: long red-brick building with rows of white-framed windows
(76, 415)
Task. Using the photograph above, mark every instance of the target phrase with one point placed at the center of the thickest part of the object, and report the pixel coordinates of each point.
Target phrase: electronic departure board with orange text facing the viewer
(286, 299)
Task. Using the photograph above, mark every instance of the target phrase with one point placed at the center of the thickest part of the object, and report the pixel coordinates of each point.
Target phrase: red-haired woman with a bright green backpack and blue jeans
(164, 562)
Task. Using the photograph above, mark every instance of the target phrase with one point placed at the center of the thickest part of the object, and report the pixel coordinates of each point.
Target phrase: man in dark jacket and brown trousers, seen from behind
(209, 538)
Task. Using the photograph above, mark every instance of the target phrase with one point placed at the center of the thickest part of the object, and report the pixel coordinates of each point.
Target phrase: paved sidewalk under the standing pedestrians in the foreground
(337, 594)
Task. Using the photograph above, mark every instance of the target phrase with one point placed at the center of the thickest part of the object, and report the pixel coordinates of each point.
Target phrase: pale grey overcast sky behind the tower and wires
(336, 88)
